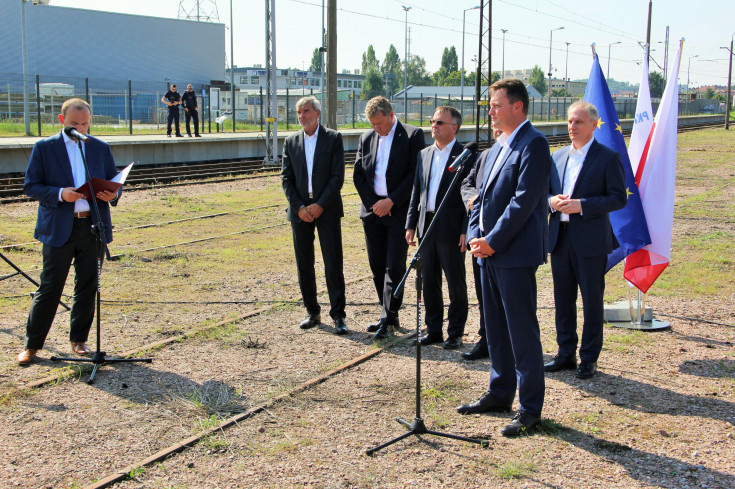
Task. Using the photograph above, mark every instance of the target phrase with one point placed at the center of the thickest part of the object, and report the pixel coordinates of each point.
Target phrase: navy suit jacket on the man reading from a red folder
(48, 171)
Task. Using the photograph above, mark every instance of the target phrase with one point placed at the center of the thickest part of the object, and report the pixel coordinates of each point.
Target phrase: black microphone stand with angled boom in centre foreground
(418, 427)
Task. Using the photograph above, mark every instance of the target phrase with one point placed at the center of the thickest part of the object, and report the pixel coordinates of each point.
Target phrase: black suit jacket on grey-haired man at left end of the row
(327, 175)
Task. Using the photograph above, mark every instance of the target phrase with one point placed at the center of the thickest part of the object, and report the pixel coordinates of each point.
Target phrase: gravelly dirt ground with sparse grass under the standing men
(659, 413)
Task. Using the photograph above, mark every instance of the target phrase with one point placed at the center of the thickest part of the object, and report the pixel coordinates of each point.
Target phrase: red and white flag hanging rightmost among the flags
(656, 177)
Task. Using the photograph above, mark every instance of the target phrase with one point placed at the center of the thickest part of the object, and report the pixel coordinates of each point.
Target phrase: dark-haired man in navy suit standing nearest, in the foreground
(509, 232)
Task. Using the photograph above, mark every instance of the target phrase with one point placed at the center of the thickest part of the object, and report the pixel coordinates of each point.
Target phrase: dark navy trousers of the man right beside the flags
(569, 272)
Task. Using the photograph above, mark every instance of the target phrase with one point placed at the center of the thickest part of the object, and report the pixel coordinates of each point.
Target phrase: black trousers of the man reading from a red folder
(81, 249)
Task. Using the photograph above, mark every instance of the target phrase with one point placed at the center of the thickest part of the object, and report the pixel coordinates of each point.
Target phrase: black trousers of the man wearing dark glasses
(441, 255)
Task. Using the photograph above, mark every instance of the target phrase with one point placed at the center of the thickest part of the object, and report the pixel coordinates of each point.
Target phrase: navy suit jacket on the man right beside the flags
(601, 188)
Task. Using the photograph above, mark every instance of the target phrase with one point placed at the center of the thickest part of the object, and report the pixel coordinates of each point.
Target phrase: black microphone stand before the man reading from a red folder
(98, 230)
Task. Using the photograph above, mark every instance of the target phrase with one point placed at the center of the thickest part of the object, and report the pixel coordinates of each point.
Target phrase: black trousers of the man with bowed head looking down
(385, 239)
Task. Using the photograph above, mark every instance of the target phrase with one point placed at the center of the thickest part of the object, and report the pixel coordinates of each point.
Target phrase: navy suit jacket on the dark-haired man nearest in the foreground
(515, 208)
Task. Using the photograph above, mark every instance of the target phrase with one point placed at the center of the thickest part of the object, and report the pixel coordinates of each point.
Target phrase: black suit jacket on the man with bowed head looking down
(399, 176)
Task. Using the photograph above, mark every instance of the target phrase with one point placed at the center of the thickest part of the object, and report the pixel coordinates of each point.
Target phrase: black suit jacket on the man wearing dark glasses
(453, 220)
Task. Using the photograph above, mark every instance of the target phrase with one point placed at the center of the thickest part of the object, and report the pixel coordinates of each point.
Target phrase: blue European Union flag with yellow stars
(628, 223)
